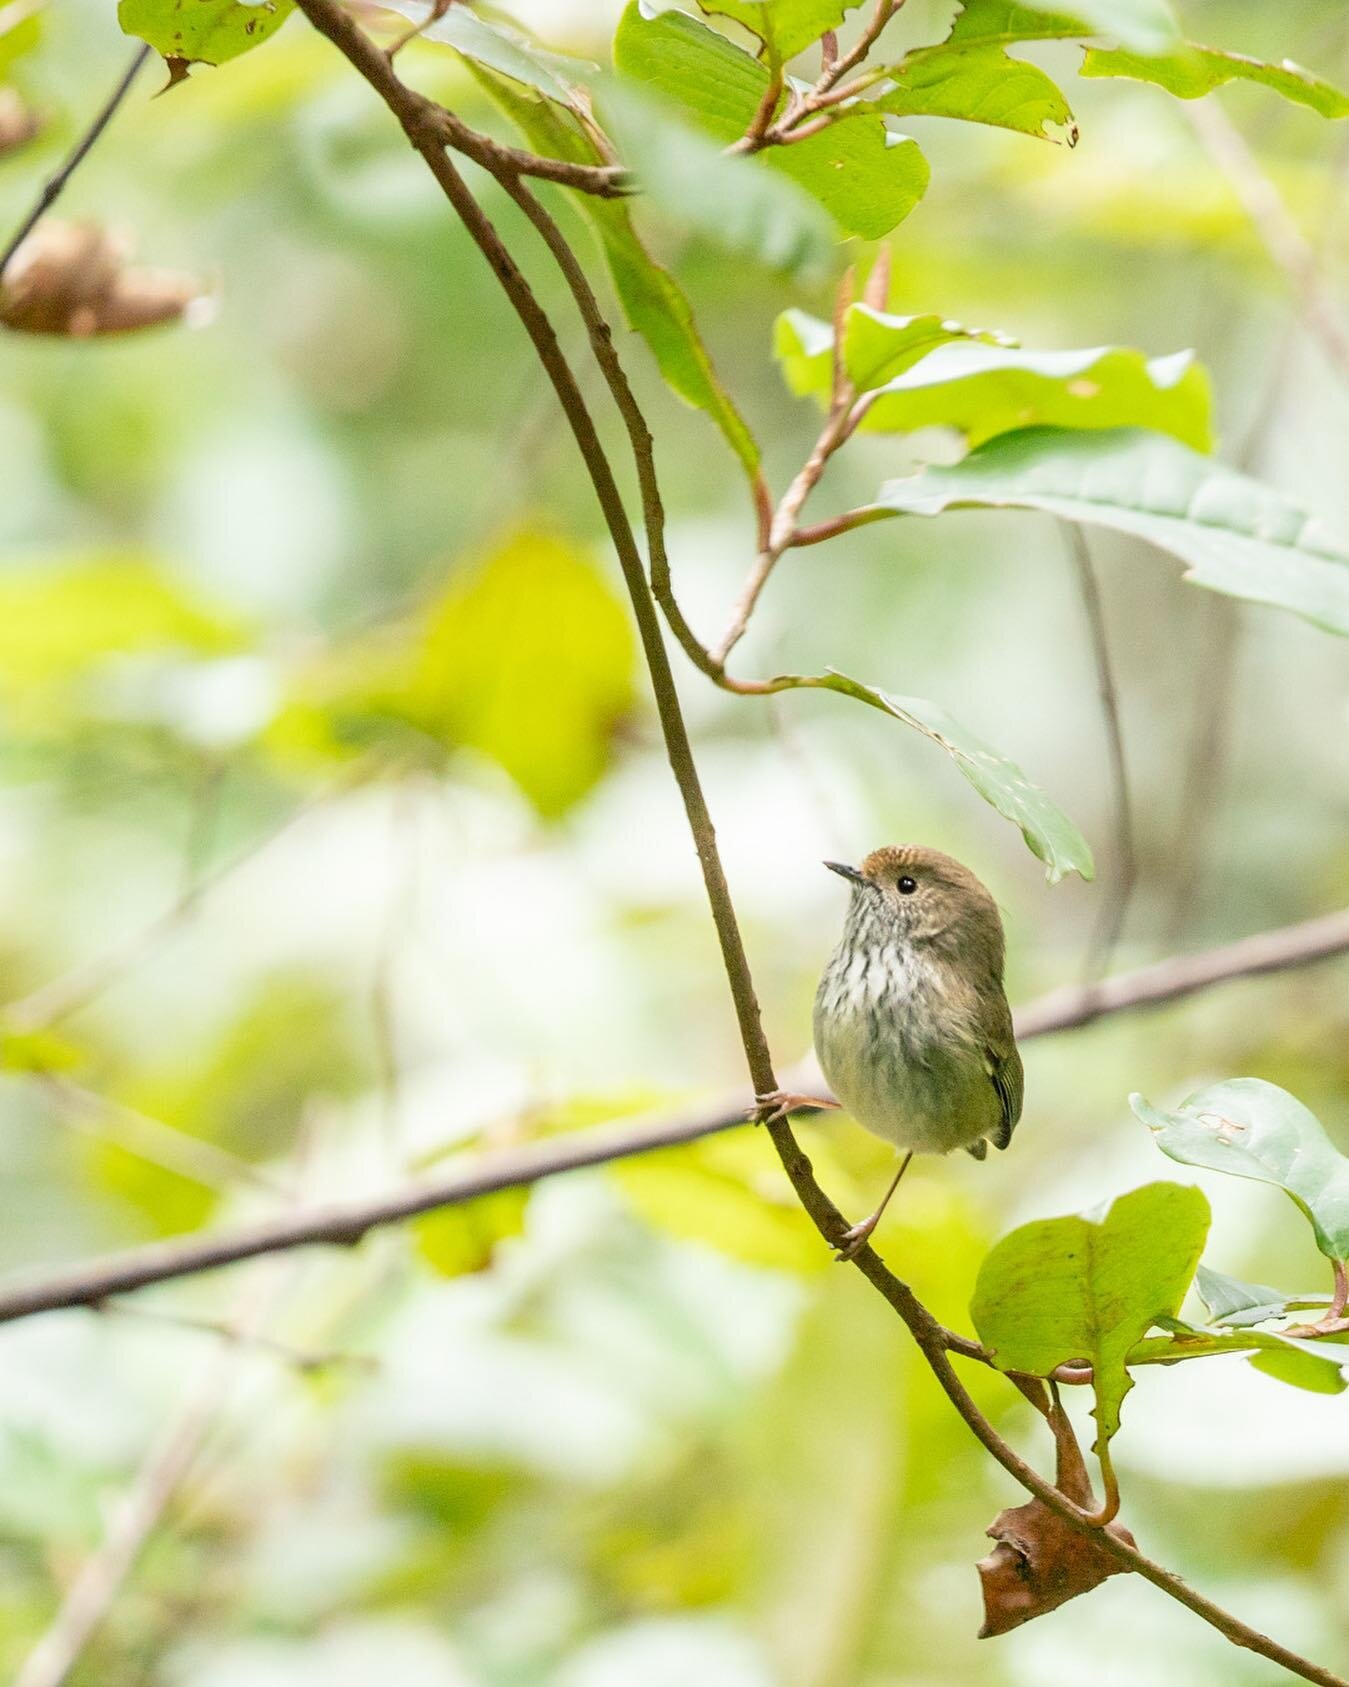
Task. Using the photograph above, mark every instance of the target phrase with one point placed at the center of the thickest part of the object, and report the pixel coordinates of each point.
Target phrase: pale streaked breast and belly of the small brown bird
(878, 1052)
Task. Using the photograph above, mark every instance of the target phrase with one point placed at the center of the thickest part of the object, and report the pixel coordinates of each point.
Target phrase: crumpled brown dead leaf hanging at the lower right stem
(1040, 1563)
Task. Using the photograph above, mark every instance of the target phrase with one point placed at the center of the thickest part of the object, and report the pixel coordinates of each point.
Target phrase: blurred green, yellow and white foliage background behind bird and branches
(336, 843)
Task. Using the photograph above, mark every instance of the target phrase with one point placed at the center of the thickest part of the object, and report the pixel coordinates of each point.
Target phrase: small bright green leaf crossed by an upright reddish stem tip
(878, 347)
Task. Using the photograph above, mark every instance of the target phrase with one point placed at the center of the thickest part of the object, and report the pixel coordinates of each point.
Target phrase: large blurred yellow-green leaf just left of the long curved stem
(529, 659)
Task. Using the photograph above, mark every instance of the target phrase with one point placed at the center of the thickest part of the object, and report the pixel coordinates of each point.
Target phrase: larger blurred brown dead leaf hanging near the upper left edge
(72, 279)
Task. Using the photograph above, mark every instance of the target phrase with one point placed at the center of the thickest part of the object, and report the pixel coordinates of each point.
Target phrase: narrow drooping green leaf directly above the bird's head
(1001, 782)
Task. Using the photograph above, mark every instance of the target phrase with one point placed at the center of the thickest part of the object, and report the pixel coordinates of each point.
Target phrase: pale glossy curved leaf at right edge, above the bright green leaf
(1254, 1129)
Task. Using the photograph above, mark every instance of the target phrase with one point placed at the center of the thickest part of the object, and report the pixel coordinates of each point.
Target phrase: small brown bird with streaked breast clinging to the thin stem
(911, 1021)
